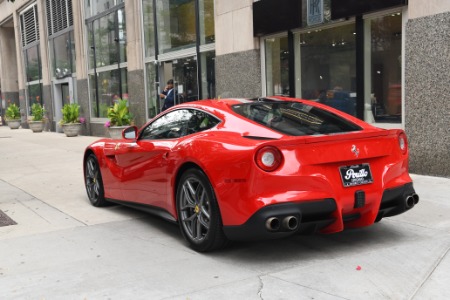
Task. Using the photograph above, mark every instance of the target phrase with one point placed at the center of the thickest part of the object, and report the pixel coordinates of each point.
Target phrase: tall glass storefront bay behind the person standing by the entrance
(179, 45)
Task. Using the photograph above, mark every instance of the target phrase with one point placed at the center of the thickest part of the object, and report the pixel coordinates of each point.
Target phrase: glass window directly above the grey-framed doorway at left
(63, 55)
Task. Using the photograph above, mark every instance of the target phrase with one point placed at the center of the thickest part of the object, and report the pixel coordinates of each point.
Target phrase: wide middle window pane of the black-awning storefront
(328, 67)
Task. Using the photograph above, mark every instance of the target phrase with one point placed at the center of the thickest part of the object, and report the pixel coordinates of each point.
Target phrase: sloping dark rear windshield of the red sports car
(294, 118)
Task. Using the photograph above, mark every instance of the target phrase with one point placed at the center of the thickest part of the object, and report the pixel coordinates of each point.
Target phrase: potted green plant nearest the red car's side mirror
(119, 118)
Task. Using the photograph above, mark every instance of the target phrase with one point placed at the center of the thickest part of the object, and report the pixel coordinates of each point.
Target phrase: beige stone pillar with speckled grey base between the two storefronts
(238, 59)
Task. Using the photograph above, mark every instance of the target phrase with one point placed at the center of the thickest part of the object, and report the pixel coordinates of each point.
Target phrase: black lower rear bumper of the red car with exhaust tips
(285, 219)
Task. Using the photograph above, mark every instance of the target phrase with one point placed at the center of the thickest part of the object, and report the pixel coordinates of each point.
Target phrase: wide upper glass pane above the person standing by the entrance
(176, 24)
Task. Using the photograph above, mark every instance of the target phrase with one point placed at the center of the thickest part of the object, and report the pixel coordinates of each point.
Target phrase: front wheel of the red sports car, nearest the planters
(93, 181)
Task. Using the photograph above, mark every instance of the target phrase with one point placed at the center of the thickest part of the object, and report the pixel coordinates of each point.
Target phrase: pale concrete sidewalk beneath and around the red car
(63, 248)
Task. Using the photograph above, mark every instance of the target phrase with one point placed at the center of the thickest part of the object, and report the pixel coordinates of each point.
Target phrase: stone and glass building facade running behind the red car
(382, 61)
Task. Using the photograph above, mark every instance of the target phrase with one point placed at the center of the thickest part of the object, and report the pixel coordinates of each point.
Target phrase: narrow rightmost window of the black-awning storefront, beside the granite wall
(386, 65)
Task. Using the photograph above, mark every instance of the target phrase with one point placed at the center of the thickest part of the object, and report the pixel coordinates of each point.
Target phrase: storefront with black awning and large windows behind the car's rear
(346, 54)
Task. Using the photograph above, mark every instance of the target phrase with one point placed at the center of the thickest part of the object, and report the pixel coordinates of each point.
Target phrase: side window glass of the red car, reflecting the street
(178, 123)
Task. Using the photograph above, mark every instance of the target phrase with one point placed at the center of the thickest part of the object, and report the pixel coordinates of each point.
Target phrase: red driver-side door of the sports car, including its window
(145, 164)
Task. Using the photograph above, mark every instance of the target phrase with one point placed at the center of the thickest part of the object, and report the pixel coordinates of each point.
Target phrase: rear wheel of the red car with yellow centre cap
(198, 213)
